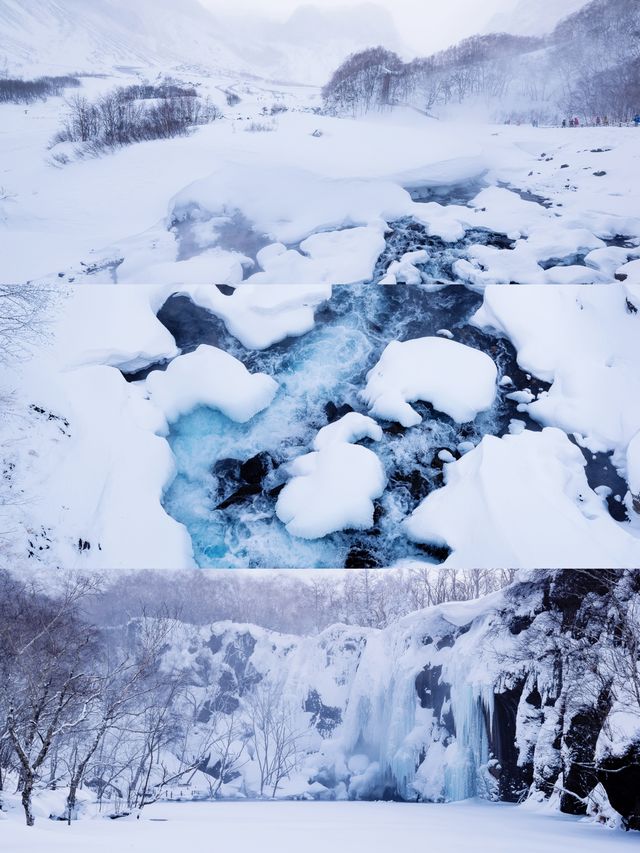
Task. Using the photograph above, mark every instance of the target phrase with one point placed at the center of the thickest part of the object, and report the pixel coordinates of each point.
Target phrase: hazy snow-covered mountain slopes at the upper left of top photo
(46, 36)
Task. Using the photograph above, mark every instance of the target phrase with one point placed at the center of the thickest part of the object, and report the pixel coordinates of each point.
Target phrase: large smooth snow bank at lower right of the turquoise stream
(522, 500)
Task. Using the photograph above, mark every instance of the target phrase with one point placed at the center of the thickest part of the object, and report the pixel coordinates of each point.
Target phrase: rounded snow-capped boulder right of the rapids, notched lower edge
(456, 379)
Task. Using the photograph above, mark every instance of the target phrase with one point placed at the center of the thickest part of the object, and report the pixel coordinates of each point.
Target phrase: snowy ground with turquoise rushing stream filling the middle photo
(204, 463)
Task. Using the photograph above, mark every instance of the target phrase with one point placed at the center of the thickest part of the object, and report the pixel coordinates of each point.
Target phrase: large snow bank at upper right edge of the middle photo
(586, 342)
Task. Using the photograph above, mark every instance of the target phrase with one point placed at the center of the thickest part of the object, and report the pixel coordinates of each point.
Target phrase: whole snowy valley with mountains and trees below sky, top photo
(281, 182)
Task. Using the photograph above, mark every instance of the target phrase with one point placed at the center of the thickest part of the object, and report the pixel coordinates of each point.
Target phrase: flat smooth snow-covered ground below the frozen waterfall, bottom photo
(318, 827)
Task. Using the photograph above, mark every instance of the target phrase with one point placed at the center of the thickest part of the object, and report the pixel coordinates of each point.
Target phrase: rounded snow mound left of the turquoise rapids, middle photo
(213, 378)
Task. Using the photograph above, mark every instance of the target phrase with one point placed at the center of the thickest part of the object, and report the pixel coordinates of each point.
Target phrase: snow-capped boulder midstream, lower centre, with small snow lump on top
(334, 487)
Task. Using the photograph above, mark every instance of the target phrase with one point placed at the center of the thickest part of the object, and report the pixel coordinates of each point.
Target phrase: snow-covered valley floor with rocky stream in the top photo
(308, 198)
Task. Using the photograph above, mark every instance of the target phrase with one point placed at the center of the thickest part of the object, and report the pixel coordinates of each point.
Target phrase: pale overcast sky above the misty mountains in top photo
(423, 24)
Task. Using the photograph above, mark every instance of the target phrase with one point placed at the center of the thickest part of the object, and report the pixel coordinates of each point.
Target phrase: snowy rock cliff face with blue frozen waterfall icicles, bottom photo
(529, 693)
